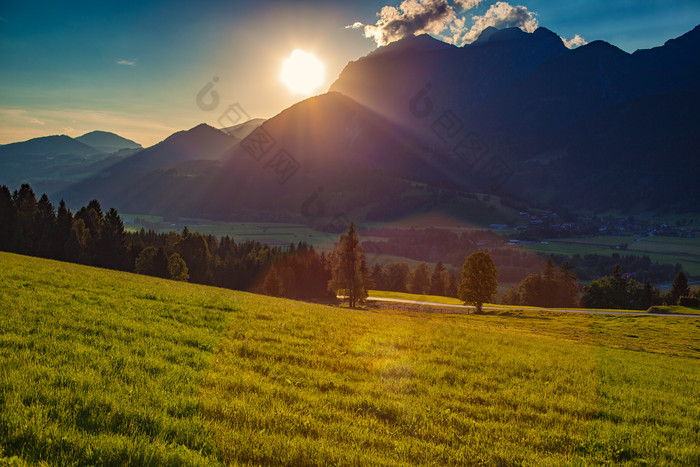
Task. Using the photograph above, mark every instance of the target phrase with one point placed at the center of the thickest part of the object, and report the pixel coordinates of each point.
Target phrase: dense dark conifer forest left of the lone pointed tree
(89, 236)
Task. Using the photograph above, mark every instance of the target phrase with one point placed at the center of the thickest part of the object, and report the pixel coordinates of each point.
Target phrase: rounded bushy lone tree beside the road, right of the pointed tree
(479, 280)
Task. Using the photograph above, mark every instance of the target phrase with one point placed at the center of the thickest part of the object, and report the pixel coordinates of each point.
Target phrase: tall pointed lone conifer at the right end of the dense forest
(349, 273)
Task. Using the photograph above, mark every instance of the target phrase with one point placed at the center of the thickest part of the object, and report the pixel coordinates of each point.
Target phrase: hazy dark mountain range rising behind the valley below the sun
(419, 125)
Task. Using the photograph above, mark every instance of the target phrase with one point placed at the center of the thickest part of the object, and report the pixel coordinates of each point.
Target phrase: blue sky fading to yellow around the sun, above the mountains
(136, 67)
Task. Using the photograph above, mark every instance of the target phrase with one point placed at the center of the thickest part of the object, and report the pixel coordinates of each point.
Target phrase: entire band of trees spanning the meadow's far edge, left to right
(35, 227)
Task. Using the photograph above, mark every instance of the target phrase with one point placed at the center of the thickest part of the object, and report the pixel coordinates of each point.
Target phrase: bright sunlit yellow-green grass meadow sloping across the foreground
(102, 367)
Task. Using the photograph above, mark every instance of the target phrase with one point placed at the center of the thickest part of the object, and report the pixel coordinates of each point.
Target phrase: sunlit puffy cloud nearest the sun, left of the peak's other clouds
(410, 18)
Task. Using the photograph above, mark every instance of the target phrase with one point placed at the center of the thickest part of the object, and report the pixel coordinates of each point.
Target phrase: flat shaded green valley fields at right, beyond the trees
(668, 250)
